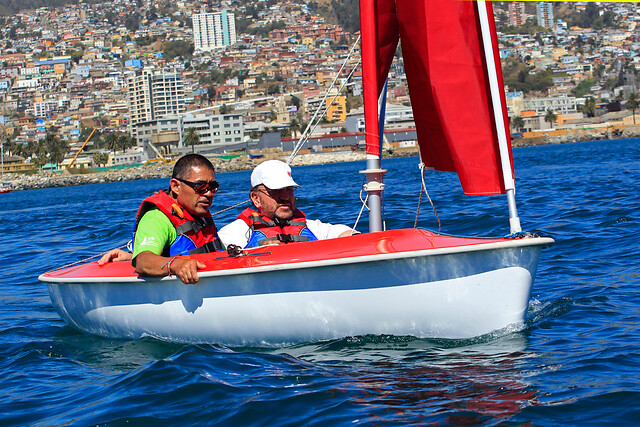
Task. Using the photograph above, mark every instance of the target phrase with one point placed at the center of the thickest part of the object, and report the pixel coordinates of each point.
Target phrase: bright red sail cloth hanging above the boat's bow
(448, 84)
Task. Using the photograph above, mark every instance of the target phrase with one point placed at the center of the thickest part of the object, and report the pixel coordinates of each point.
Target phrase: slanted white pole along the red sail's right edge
(507, 172)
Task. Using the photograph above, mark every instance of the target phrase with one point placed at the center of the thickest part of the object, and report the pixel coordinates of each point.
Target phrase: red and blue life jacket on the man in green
(194, 235)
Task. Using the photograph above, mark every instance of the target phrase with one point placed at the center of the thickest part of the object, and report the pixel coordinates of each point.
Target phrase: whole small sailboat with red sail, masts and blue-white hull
(408, 282)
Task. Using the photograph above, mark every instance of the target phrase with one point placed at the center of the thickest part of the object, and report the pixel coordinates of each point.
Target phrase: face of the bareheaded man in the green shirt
(195, 203)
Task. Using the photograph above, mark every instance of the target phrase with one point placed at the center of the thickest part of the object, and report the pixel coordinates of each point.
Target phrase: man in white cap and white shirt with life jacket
(275, 219)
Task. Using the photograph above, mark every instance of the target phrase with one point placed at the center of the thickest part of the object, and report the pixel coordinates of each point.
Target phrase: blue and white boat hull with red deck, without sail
(455, 291)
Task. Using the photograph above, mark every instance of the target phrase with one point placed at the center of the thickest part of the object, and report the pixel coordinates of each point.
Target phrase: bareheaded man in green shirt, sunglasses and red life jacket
(175, 222)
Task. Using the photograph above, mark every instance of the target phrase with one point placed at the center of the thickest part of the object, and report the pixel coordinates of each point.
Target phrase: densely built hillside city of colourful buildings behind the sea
(91, 85)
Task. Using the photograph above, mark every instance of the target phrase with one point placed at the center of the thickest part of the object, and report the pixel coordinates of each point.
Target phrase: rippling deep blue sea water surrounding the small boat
(576, 361)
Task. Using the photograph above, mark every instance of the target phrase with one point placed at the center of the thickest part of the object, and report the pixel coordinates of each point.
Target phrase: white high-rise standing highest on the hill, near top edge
(213, 30)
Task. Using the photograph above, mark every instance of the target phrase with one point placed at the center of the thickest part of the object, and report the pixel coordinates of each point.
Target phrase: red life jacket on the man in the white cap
(264, 229)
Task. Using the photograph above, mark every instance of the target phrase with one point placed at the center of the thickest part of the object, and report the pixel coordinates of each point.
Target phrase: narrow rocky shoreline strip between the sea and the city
(39, 180)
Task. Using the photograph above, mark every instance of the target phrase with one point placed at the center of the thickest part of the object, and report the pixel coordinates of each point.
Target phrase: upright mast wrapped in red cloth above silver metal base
(374, 185)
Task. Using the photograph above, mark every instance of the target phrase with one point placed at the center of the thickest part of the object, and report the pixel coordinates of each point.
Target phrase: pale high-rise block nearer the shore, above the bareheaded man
(154, 93)
